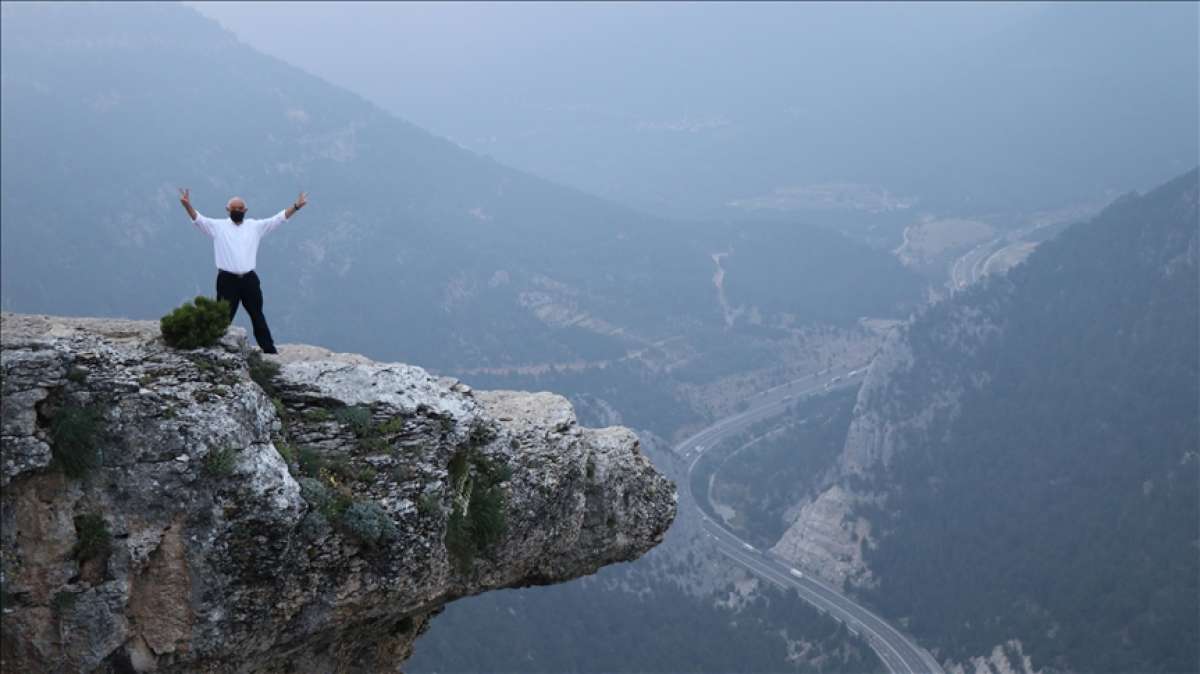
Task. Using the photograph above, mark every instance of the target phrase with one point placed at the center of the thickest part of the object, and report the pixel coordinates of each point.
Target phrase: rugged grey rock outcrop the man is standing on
(165, 513)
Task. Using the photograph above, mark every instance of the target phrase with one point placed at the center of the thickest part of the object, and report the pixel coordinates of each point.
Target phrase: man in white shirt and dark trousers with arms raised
(236, 246)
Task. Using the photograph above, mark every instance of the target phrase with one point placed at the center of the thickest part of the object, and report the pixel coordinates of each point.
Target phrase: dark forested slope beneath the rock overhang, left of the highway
(596, 625)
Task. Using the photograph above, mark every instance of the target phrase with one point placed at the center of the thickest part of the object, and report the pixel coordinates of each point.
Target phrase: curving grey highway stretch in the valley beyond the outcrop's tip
(898, 652)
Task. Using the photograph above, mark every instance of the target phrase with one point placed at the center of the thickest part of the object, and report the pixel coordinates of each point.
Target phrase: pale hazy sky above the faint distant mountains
(403, 55)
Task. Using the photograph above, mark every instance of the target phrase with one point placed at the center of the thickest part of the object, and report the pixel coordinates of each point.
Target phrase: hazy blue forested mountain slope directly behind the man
(412, 248)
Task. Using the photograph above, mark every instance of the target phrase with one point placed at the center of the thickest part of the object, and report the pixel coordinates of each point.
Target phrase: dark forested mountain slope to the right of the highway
(1027, 455)
